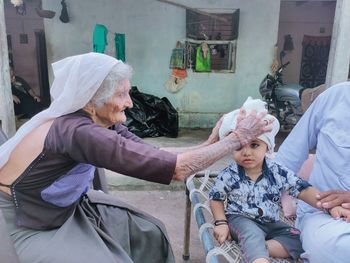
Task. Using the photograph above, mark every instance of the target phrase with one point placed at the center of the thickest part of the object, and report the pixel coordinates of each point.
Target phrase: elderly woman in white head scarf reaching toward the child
(47, 167)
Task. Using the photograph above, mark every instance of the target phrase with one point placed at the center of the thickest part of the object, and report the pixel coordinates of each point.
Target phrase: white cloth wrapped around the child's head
(230, 120)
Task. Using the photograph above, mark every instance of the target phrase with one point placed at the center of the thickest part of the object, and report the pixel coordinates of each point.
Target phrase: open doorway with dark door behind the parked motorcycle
(303, 22)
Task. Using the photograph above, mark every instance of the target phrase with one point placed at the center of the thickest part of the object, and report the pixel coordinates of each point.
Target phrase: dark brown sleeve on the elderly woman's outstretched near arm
(86, 142)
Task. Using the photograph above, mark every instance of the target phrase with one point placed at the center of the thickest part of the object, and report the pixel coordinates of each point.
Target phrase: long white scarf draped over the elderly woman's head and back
(77, 79)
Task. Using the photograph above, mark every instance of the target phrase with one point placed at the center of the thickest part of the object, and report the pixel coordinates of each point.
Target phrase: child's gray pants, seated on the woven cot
(251, 235)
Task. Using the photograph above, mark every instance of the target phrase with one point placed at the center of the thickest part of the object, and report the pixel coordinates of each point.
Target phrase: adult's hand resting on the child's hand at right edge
(333, 198)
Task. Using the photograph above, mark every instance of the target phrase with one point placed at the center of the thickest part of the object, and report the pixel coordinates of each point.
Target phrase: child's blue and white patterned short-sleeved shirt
(260, 199)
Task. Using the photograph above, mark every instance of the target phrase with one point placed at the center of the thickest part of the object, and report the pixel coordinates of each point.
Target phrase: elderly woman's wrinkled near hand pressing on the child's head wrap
(251, 126)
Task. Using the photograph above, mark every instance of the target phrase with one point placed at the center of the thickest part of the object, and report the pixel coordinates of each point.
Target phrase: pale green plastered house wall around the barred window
(152, 29)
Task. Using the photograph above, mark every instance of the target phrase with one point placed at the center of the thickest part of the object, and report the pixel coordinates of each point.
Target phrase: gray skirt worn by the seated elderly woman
(102, 229)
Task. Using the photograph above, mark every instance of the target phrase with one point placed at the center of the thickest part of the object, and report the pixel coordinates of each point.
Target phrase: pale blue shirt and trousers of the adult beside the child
(326, 127)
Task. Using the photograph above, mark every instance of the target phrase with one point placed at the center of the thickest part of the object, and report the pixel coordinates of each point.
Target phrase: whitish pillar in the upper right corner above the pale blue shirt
(339, 54)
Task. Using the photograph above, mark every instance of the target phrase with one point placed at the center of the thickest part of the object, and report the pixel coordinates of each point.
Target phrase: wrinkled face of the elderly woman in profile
(112, 112)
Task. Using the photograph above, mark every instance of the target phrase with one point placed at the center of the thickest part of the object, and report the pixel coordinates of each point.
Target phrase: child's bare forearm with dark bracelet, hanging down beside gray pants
(221, 229)
